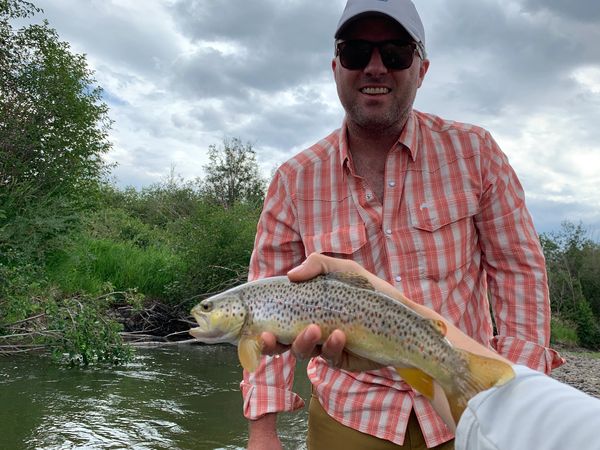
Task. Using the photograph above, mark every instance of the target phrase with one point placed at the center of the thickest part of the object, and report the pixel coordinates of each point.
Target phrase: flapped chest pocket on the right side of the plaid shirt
(444, 234)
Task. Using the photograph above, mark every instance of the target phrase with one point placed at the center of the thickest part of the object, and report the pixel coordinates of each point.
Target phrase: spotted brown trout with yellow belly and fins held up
(377, 327)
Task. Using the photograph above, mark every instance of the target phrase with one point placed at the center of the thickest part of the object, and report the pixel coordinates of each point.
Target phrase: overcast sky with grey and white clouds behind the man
(180, 75)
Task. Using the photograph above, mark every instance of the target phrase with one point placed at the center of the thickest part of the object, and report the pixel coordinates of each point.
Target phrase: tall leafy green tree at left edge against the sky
(53, 124)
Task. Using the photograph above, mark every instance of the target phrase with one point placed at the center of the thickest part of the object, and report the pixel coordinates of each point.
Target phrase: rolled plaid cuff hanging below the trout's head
(261, 400)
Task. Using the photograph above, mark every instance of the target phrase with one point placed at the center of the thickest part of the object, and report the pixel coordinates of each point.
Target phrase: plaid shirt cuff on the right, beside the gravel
(530, 354)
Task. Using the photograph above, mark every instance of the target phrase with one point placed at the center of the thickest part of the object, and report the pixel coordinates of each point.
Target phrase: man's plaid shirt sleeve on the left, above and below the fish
(277, 248)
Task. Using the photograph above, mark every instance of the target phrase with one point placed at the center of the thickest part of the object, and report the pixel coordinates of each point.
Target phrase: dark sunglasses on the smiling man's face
(356, 54)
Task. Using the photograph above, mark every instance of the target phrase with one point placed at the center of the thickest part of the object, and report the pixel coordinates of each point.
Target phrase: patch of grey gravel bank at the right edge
(582, 371)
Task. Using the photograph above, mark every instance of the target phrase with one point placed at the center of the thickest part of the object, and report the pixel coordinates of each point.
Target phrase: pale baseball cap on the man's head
(402, 11)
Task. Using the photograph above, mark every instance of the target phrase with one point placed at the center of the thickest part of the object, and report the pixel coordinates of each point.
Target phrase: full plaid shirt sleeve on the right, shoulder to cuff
(515, 266)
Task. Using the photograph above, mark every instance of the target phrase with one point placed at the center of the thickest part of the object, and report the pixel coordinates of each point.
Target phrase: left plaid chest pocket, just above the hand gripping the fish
(341, 243)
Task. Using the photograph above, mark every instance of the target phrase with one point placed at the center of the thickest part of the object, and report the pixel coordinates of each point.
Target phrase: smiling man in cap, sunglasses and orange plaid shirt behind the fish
(429, 205)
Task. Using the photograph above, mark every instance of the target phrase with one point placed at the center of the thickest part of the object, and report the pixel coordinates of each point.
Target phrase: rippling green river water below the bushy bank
(184, 397)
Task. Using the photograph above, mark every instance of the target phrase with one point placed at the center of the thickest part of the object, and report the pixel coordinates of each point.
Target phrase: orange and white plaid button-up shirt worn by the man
(451, 226)
